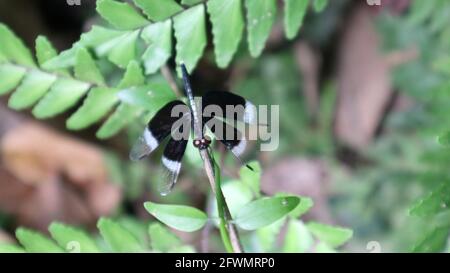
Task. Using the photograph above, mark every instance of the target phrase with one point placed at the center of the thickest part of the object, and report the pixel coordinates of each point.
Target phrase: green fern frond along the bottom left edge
(117, 236)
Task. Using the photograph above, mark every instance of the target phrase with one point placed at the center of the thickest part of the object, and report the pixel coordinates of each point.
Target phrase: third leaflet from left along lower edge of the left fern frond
(63, 95)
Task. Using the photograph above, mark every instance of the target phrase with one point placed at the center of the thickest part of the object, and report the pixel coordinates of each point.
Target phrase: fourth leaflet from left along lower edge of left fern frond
(98, 103)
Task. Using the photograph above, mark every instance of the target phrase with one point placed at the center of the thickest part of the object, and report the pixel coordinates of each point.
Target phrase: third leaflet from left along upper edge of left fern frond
(86, 69)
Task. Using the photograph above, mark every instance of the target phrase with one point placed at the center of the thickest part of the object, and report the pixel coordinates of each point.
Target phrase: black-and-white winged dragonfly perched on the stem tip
(176, 120)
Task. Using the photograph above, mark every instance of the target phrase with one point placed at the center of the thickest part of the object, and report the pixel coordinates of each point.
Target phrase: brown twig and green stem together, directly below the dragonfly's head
(228, 231)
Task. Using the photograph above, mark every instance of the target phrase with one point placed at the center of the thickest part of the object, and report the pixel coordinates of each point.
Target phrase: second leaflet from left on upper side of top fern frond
(158, 10)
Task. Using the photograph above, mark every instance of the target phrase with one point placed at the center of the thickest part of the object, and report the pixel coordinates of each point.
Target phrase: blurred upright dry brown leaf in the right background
(364, 87)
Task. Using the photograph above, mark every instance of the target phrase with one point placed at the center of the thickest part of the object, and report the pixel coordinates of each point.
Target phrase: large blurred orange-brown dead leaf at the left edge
(46, 176)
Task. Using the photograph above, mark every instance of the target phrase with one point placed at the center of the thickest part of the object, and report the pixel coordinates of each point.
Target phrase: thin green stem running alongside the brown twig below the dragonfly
(221, 209)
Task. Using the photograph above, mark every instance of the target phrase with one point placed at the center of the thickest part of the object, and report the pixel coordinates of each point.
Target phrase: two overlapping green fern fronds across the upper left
(140, 33)
